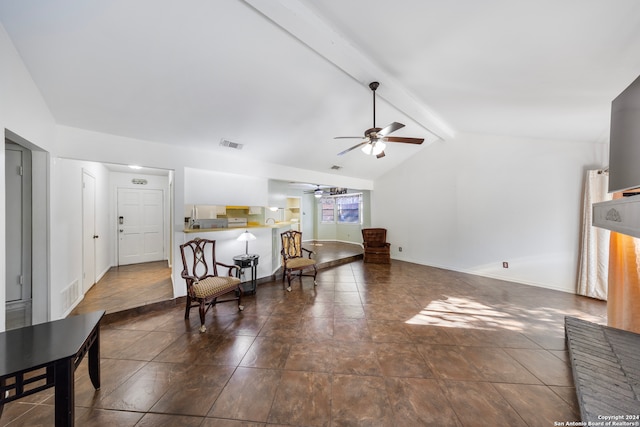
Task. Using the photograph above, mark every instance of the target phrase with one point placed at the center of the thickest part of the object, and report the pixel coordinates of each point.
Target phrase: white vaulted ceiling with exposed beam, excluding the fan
(283, 77)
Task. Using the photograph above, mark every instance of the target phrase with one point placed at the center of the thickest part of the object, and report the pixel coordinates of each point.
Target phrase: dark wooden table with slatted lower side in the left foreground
(38, 357)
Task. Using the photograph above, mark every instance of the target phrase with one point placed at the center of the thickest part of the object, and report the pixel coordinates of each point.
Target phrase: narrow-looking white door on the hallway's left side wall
(88, 231)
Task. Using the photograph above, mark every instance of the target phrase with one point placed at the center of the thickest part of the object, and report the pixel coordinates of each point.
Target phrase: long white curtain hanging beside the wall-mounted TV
(594, 251)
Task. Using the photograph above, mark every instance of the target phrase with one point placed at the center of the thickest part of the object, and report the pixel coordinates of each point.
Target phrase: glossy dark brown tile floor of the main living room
(374, 345)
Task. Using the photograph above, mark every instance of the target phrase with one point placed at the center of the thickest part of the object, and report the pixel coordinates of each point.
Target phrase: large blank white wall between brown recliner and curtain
(471, 203)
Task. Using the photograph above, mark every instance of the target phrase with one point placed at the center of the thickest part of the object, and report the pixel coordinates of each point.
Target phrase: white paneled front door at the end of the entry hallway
(140, 226)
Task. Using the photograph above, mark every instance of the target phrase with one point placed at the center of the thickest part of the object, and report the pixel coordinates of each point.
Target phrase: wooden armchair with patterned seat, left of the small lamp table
(204, 285)
